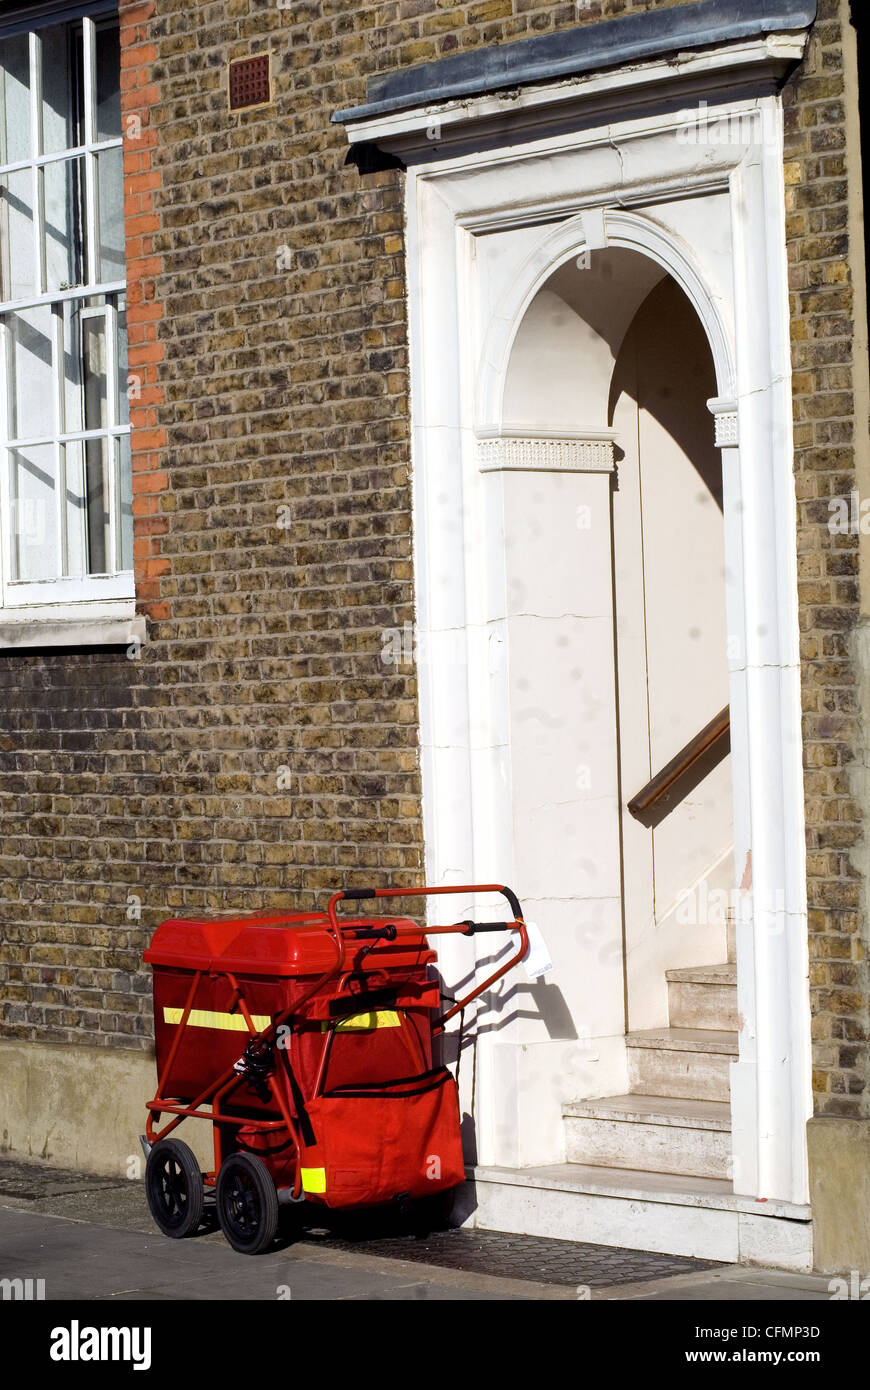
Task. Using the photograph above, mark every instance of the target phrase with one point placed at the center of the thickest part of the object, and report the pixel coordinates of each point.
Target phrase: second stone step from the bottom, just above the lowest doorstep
(651, 1134)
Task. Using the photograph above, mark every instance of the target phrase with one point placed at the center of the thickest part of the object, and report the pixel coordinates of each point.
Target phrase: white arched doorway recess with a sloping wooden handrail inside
(611, 350)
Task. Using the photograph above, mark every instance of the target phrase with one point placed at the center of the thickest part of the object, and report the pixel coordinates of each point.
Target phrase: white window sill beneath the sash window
(109, 623)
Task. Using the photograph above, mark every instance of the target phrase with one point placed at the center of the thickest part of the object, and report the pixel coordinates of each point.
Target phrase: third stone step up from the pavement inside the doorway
(693, 1064)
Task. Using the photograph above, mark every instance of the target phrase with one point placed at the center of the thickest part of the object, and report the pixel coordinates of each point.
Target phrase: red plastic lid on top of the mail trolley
(293, 945)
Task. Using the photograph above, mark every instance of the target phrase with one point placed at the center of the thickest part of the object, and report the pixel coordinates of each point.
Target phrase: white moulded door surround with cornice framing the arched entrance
(704, 198)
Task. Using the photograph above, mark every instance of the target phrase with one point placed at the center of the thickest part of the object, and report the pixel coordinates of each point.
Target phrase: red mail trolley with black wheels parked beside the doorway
(308, 1040)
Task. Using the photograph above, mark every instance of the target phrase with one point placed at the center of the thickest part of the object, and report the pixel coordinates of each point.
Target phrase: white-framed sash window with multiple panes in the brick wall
(66, 486)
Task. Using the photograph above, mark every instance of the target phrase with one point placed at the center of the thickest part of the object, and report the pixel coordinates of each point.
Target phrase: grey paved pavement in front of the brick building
(94, 1239)
